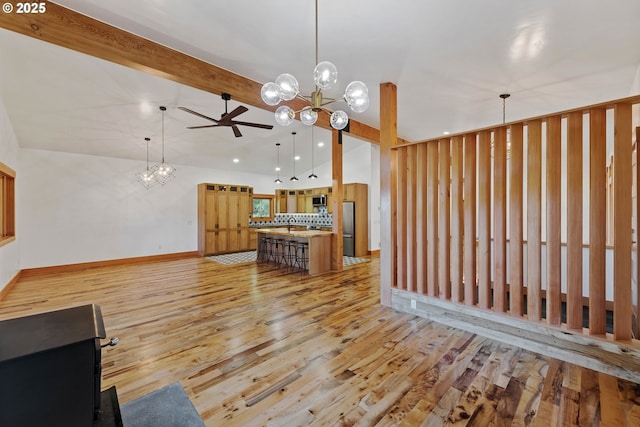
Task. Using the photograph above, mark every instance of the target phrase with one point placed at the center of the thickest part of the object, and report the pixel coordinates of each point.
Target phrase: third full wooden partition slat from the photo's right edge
(574, 221)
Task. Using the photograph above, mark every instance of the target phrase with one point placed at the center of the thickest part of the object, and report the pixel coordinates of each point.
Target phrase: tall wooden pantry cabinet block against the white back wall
(223, 218)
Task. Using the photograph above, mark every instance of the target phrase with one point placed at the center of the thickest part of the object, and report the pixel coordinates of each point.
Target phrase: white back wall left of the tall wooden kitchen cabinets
(76, 208)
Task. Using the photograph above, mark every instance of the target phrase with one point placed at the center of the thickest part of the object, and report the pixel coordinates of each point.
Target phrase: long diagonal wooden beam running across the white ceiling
(64, 27)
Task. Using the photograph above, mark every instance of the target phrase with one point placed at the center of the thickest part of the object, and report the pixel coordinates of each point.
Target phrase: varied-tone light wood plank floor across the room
(254, 346)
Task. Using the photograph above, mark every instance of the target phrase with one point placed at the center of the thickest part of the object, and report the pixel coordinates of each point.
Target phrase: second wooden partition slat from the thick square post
(411, 218)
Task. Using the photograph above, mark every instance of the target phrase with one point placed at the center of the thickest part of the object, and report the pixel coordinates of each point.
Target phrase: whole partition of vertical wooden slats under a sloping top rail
(464, 236)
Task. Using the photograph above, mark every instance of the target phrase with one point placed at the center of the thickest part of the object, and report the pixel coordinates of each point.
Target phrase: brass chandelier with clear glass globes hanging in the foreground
(325, 75)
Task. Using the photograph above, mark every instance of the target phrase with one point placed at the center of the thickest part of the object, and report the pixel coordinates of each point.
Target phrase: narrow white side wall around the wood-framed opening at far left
(10, 253)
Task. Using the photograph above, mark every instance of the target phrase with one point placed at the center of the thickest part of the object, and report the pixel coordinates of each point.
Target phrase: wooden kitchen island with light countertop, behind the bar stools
(319, 251)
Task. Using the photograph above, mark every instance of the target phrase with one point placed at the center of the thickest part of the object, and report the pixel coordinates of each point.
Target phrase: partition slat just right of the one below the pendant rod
(516, 298)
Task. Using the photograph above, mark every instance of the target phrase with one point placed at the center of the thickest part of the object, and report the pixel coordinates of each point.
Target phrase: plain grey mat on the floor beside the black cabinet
(167, 407)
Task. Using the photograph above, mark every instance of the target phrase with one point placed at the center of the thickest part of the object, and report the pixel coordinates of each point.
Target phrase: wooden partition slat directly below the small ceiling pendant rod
(500, 220)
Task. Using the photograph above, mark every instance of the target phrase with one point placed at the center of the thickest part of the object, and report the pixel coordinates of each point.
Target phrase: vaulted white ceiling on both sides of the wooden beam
(449, 59)
